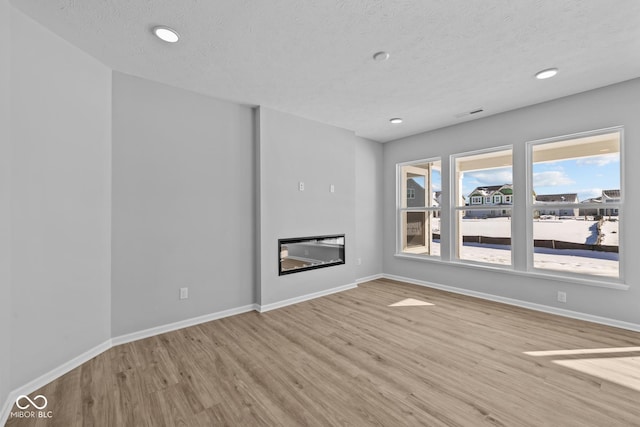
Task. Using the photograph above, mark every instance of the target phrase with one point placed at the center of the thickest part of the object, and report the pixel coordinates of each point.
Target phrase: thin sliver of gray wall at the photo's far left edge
(5, 204)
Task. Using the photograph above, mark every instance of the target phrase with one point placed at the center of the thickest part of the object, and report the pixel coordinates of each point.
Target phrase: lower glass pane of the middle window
(485, 237)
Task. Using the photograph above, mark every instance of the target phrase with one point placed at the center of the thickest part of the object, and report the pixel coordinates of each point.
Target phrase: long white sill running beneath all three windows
(509, 270)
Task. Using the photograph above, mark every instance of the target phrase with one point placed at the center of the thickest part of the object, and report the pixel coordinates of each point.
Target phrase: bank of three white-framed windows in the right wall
(570, 226)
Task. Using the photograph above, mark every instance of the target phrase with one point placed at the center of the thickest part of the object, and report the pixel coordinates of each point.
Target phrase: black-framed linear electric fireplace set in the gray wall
(308, 253)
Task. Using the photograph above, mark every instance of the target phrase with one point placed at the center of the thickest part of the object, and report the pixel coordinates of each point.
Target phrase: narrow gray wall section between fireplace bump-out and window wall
(369, 208)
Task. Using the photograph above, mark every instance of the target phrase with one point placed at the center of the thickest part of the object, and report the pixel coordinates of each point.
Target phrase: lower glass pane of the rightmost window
(577, 245)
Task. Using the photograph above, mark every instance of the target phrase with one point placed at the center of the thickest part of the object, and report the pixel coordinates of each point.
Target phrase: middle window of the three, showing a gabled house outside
(483, 233)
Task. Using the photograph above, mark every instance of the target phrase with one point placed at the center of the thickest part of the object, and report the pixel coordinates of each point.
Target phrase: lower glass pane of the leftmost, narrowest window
(416, 238)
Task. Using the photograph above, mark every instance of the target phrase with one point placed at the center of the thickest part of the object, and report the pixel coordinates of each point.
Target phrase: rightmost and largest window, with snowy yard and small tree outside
(576, 204)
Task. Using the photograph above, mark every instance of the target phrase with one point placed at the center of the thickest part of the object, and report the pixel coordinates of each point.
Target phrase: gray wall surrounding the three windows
(614, 105)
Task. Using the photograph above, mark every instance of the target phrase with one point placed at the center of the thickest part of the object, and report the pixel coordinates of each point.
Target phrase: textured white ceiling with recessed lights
(314, 58)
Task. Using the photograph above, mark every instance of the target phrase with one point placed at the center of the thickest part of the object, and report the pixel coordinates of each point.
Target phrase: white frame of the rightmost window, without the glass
(531, 207)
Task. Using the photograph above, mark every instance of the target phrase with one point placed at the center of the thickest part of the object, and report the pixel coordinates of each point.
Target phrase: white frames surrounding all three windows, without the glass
(522, 242)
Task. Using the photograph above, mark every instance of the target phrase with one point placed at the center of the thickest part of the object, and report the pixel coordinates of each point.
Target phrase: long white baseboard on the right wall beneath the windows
(519, 303)
